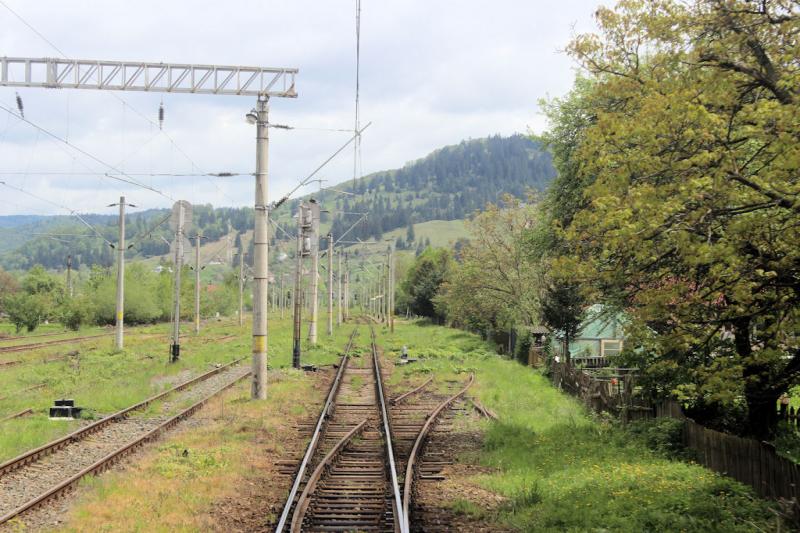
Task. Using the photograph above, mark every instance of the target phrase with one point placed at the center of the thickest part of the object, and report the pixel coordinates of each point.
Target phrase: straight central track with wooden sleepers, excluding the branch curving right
(348, 476)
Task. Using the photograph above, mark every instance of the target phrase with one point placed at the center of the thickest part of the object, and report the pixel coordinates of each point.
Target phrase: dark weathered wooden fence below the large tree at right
(749, 461)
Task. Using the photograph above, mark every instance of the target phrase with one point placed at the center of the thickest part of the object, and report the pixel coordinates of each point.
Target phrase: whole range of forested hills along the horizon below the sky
(449, 184)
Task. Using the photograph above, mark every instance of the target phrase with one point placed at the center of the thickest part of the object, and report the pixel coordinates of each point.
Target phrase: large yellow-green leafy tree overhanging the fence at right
(687, 214)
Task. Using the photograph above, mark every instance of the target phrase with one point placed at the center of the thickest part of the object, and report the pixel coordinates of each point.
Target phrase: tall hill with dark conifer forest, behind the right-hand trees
(449, 184)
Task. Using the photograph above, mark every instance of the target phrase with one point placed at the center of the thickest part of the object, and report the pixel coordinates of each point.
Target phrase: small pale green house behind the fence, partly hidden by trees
(600, 337)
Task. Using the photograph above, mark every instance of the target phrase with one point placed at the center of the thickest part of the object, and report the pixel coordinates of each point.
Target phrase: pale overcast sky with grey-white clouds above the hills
(432, 74)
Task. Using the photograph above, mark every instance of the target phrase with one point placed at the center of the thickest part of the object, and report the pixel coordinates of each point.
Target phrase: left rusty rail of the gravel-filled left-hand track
(46, 449)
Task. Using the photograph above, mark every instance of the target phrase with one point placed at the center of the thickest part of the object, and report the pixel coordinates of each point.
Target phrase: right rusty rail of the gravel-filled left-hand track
(111, 458)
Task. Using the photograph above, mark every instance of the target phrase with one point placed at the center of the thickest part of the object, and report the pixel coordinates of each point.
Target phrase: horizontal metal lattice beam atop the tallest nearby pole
(152, 77)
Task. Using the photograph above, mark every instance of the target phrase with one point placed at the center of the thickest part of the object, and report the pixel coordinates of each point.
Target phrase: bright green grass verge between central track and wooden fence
(560, 469)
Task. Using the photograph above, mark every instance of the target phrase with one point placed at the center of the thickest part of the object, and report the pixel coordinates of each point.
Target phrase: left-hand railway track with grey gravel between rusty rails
(45, 472)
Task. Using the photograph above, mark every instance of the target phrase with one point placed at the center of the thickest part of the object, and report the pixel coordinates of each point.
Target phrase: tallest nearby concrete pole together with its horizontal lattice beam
(189, 79)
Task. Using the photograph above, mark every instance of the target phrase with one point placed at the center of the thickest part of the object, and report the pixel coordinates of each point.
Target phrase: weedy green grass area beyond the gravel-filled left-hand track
(104, 380)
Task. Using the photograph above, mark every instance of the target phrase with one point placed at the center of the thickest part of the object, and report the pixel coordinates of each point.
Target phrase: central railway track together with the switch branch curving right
(348, 479)
